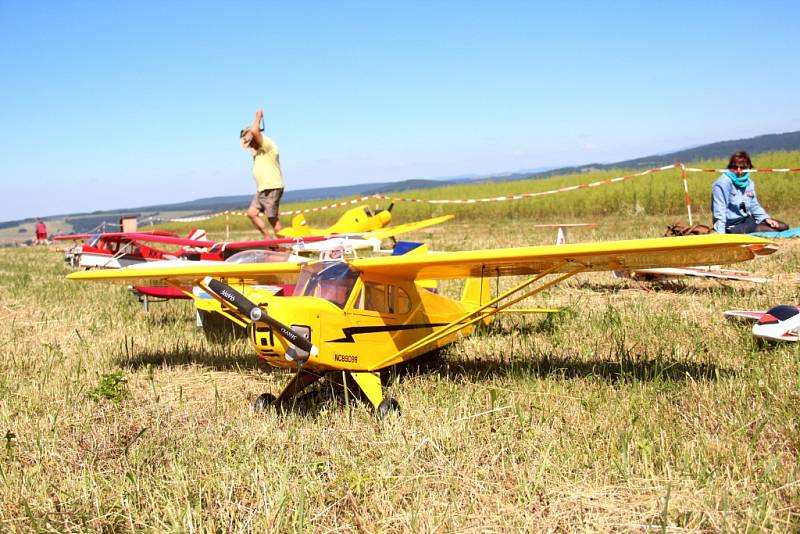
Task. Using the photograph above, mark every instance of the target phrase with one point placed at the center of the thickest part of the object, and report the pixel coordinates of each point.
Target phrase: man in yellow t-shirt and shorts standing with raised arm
(267, 174)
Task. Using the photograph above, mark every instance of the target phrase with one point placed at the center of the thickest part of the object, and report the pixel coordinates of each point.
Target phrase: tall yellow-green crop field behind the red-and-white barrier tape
(659, 194)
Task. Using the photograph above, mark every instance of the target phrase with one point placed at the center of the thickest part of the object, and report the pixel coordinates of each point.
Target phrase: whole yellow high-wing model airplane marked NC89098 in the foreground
(361, 316)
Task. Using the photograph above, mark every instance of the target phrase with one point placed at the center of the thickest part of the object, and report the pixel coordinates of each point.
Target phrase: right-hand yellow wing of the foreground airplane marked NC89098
(604, 256)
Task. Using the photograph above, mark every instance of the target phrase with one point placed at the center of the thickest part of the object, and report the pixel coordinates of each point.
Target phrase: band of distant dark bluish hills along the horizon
(720, 150)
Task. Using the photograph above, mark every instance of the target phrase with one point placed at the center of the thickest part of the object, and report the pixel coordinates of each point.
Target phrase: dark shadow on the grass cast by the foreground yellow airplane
(329, 393)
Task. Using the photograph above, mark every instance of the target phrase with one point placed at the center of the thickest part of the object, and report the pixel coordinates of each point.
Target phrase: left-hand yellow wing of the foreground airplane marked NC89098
(187, 273)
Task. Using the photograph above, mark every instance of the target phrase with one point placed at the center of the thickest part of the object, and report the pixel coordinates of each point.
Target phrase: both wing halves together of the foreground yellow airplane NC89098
(604, 256)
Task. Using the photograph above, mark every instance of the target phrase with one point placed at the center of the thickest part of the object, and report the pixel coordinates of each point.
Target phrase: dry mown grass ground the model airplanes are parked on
(636, 409)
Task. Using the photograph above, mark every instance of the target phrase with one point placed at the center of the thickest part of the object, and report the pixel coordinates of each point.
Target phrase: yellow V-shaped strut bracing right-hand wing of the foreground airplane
(483, 312)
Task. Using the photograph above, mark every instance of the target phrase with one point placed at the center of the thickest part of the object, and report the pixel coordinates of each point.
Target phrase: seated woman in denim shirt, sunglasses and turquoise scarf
(734, 205)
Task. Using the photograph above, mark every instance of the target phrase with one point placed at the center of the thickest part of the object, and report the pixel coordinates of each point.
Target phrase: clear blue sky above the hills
(121, 104)
